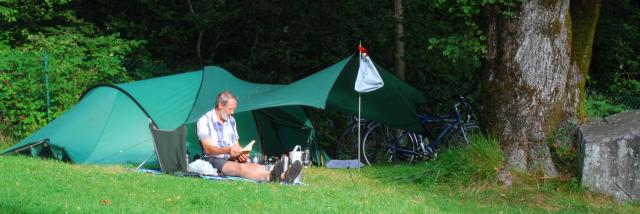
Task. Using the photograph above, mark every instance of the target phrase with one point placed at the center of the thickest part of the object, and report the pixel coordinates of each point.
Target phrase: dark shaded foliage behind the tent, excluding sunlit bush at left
(278, 41)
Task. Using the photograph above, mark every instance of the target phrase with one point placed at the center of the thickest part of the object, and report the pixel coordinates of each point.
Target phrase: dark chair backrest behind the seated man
(170, 148)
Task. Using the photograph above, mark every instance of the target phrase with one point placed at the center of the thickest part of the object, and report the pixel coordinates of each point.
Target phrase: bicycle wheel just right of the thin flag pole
(374, 144)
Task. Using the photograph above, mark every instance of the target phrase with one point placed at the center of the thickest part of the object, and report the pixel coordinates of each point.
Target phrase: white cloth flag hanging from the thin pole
(368, 78)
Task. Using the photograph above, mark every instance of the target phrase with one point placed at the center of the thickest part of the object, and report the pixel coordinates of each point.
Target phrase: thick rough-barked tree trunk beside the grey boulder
(533, 77)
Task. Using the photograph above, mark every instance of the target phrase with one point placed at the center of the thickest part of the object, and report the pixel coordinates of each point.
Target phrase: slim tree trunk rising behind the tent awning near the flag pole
(399, 67)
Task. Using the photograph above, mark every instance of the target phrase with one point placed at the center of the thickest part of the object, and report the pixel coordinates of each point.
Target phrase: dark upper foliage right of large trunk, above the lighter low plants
(615, 65)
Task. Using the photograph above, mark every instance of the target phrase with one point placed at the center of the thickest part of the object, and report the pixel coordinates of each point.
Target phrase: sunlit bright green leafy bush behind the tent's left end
(77, 60)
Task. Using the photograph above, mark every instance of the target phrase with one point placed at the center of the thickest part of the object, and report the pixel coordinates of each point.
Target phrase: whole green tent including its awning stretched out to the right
(110, 124)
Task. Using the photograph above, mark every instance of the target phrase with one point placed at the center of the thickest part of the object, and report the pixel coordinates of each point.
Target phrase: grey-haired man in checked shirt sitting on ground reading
(219, 138)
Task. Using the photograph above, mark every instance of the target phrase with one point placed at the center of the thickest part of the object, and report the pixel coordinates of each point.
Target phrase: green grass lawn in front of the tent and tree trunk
(459, 181)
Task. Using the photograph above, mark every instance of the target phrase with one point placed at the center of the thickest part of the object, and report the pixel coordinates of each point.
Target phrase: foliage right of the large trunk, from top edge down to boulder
(614, 74)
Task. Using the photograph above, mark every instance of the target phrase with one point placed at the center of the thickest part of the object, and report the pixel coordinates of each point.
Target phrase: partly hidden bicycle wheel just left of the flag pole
(347, 144)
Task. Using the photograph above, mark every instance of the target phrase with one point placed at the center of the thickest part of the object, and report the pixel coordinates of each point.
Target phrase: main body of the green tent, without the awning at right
(110, 123)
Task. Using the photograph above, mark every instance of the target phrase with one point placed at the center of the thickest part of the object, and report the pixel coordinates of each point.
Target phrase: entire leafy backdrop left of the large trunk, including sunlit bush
(90, 42)
